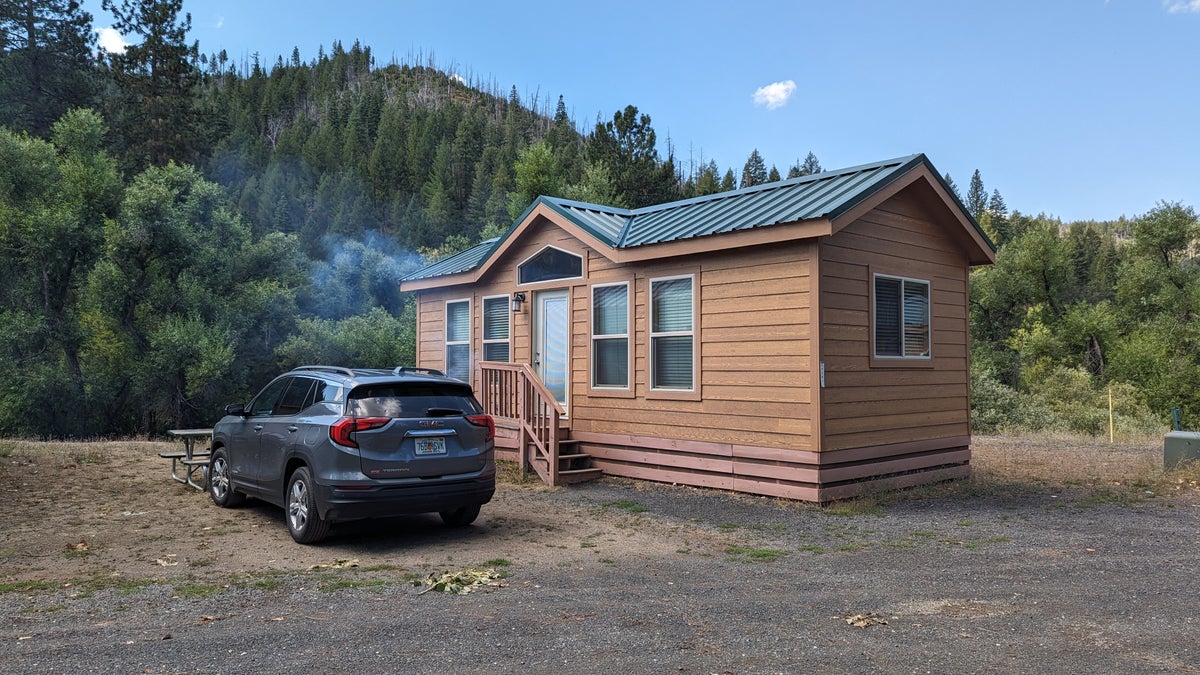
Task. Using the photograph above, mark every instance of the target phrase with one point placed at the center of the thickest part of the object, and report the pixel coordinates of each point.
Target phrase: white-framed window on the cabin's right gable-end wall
(902, 318)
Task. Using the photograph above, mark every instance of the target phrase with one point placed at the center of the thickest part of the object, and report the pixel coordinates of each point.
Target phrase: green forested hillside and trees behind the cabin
(176, 228)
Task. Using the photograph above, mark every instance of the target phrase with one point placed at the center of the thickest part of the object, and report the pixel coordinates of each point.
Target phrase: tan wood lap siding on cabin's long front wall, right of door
(755, 356)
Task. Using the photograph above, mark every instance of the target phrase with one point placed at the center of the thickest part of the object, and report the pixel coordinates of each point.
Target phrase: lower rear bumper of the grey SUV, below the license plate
(383, 501)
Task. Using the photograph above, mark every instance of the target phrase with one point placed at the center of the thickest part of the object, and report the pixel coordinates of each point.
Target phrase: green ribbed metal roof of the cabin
(819, 196)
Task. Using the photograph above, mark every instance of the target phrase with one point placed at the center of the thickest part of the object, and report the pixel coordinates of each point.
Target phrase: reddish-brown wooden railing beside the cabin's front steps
(514, 392)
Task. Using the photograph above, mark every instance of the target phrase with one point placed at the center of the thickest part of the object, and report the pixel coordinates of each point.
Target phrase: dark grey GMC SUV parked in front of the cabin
(332, 445)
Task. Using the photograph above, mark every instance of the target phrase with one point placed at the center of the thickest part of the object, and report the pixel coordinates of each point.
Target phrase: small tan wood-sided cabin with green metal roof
(803, 339)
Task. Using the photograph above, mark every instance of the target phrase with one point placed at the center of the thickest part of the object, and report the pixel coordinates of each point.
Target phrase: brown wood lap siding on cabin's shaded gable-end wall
(868, 407)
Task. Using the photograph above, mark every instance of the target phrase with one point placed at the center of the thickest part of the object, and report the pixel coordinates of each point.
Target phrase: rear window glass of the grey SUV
(418, 399)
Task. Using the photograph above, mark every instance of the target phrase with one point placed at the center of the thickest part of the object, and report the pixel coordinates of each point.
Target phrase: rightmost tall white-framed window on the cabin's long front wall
(671, 334)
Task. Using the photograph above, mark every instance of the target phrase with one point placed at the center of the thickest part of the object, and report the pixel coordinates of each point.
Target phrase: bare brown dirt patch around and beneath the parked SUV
(81, 511)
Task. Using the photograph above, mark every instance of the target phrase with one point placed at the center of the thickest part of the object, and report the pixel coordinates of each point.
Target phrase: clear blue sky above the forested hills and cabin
(1076, 109)
